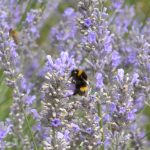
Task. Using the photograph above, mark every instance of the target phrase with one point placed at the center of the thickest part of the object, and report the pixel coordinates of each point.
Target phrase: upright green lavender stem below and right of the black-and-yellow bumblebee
(100, 124)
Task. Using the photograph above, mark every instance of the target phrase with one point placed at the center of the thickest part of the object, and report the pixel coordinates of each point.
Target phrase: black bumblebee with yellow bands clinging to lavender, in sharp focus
(79, 79)
